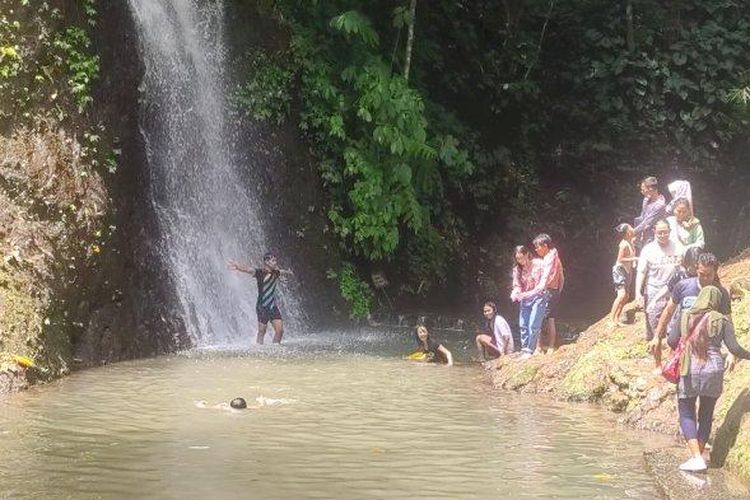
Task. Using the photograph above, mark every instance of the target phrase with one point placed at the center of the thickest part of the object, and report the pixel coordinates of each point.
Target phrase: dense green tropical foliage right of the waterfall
(517, 115)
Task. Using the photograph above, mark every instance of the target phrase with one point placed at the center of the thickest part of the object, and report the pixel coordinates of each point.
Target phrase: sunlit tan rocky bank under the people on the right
(610, 366)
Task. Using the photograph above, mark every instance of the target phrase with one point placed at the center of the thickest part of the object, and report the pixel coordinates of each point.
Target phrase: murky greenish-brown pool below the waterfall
(345, 417)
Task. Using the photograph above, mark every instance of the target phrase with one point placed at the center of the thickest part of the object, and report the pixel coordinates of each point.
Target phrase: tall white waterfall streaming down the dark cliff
(204, 213)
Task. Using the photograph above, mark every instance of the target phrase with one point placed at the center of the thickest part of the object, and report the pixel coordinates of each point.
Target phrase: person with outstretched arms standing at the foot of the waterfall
(268, 278)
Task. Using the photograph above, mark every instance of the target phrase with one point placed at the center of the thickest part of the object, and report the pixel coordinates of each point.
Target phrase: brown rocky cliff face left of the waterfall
(79, 284)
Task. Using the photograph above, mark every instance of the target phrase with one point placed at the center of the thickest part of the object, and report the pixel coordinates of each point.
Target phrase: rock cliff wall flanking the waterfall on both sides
(80, 279)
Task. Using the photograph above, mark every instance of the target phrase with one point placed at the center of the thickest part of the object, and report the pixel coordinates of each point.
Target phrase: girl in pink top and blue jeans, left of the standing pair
(532, 305)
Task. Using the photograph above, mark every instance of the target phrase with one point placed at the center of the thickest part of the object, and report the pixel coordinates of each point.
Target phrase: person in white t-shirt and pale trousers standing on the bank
(657, 262)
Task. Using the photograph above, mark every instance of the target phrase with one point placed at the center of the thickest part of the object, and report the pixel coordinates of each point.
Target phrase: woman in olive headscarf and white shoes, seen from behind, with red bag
(704, 329)
